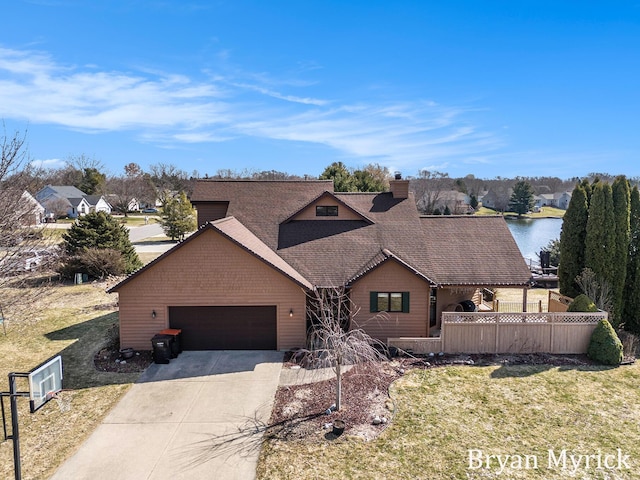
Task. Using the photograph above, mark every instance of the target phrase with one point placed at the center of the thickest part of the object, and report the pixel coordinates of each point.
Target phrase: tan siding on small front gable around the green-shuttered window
(392, 277)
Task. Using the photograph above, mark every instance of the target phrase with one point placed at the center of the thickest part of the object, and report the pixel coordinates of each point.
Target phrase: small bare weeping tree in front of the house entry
(333, 341)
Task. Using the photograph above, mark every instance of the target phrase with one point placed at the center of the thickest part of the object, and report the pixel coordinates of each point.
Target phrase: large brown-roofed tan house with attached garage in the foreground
(242, 281)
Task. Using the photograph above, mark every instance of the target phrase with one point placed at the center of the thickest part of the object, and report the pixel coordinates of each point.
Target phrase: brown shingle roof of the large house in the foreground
(445, 250)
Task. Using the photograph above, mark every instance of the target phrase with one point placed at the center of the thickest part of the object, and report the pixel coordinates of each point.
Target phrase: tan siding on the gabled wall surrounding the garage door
(208, 270)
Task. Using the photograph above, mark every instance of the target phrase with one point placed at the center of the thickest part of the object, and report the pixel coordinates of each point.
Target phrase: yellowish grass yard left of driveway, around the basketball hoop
(74, 321)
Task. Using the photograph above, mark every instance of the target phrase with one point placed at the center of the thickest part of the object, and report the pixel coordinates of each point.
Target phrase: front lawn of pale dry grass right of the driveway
(523, 411)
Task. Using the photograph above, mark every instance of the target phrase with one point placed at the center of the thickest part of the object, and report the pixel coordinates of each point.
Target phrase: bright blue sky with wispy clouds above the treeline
(489, 88)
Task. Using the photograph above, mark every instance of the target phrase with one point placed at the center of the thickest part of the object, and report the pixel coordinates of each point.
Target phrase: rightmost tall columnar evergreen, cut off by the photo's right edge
(631, 296)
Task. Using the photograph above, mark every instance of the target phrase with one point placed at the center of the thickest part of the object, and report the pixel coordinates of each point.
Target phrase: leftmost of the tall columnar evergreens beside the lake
(572, 242)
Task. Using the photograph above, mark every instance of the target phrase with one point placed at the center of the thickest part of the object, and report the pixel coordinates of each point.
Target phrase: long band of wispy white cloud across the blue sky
(168, 108)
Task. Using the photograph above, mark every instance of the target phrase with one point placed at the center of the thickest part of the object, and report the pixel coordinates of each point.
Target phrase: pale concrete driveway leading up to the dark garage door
(198, 417)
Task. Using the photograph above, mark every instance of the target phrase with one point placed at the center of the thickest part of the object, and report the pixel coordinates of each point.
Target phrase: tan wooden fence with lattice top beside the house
(558, 333)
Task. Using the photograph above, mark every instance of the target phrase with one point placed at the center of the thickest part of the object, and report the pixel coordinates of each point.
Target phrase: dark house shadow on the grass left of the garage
(77, 359)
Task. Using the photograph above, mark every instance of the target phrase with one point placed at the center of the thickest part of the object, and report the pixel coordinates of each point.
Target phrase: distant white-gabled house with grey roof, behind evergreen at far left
(66, 200)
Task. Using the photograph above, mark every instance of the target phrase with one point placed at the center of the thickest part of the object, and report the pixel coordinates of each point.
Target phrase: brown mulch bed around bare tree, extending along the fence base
(300, 412)
